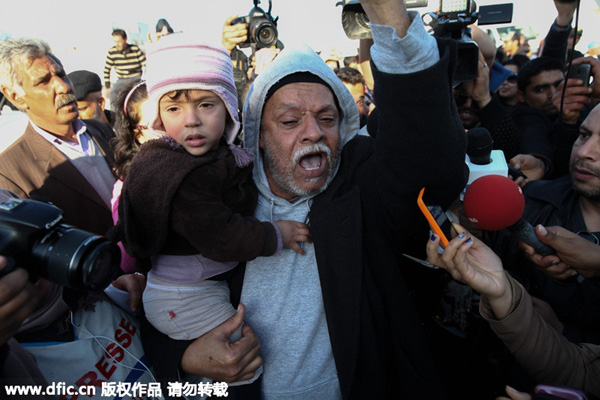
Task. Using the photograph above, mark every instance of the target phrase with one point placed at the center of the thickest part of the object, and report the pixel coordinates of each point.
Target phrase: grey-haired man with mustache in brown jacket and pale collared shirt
(59, 157)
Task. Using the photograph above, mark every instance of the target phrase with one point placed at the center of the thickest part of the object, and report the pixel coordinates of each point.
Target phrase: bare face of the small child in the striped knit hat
(195, 120)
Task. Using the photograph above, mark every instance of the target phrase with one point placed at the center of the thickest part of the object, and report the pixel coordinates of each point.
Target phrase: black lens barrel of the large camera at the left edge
(75, 258)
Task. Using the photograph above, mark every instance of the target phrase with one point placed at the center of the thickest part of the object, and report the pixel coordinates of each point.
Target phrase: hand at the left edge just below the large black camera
(18, 299)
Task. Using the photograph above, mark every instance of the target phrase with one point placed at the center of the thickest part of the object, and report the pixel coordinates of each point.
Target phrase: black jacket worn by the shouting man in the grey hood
(360, 231)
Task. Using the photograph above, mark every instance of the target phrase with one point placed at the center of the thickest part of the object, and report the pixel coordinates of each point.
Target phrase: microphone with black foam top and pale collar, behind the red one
(481, 159)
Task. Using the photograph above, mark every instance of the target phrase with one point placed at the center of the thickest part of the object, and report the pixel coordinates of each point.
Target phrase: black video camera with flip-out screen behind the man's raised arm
(451, 22)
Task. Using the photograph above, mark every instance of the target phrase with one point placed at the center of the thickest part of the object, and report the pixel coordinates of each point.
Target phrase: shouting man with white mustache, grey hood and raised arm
(339, 322)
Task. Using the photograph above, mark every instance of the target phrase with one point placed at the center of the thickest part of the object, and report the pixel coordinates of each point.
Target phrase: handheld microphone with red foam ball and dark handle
(495, 202)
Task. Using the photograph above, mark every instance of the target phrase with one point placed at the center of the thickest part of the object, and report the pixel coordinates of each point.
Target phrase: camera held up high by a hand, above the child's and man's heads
(262, 27)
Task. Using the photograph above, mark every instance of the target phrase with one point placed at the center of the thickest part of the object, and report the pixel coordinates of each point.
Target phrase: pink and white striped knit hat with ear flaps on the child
(178, 62)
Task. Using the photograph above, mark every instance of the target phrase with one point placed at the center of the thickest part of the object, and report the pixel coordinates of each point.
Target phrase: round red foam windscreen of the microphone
(493, 202)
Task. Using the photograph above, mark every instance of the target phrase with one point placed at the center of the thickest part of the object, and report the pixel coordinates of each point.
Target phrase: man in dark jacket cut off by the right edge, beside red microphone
(571, 202)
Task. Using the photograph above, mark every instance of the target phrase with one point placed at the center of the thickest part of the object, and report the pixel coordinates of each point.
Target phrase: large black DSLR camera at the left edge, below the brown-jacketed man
(32, 237)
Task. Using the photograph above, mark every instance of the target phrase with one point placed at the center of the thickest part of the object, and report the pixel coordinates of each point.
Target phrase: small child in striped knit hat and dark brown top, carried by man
(188, 199)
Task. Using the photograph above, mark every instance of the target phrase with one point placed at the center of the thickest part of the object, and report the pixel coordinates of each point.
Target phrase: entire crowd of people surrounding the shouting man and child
(265, 211)
